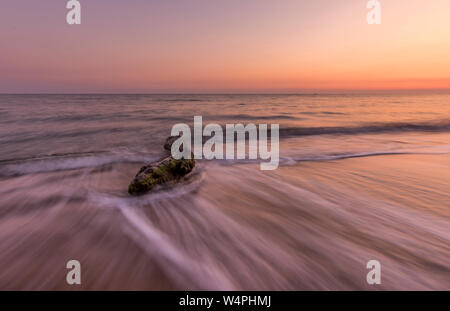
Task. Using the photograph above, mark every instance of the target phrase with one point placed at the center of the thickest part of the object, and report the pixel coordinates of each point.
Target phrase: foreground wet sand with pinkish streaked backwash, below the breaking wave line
(308, 226)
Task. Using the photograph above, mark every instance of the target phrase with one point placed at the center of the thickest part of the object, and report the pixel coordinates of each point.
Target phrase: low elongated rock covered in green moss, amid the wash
(166, 170)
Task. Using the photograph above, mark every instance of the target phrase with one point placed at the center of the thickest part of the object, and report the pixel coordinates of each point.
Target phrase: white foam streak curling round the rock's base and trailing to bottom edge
(182, 267)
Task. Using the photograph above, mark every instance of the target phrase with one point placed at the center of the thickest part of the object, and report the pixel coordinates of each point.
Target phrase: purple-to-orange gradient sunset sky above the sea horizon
(223, 45)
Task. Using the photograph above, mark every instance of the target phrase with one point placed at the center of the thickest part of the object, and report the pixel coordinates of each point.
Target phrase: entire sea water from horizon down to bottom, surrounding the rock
(361, 177)
